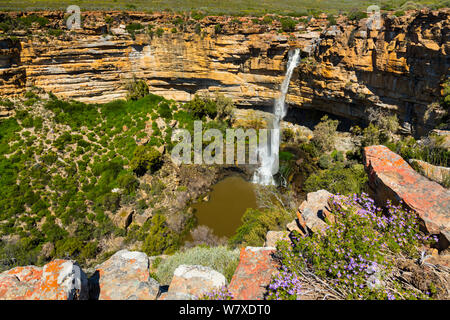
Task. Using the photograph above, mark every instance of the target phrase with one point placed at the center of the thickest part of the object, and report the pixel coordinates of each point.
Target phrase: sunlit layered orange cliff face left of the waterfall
(246, 62)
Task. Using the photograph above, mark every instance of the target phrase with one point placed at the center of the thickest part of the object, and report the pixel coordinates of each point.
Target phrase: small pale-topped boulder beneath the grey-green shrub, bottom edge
(194, 281)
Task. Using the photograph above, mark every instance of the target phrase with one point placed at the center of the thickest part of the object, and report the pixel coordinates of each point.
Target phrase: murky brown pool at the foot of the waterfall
(228, 201)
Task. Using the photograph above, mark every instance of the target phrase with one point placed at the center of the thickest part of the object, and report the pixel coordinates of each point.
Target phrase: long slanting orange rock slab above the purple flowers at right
(392, 178)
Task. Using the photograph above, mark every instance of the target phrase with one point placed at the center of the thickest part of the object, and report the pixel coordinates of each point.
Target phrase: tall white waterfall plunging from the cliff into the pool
(269, 152)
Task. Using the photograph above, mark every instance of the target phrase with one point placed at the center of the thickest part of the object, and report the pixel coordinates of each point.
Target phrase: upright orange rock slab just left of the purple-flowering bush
(253, 274)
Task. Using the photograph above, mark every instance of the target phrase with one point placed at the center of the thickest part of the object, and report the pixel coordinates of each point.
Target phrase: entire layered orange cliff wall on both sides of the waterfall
(346, 68)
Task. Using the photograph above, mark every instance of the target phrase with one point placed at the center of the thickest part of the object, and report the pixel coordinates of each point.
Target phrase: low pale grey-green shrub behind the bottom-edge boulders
(220, 259)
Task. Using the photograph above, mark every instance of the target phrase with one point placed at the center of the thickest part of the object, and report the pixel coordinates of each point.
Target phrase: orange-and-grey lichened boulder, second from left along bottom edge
(124, 276)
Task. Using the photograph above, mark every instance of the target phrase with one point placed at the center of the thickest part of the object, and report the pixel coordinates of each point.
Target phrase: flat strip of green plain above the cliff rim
(200, 8)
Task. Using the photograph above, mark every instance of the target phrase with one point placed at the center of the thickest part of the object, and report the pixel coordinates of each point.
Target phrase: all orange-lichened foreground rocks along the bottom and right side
(126, 274)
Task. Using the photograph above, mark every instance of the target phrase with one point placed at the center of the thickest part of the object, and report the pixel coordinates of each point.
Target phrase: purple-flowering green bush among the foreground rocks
(355, 254)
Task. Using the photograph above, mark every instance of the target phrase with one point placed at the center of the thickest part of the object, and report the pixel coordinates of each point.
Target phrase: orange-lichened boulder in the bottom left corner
(57, 280)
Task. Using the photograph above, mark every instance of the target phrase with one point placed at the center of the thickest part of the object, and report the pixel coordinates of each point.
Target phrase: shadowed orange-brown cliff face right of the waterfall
(398, 67)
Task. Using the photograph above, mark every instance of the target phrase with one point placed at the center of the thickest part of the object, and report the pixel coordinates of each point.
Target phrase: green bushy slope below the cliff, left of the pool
(90, 166)
